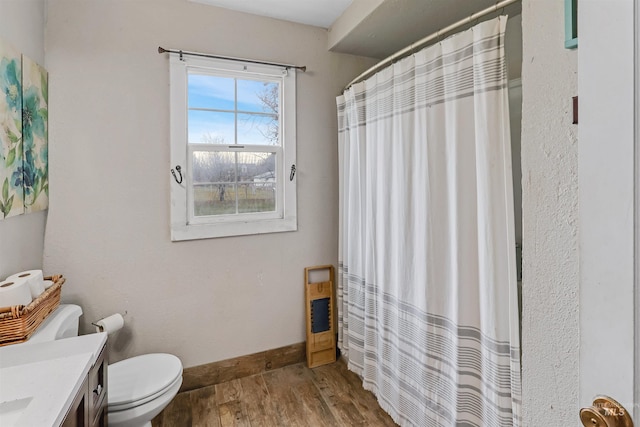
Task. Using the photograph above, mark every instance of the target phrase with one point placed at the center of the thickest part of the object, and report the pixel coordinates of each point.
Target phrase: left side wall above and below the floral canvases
(22, 237)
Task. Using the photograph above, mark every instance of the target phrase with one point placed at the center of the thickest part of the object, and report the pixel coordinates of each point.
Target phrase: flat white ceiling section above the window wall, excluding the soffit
(321, 13)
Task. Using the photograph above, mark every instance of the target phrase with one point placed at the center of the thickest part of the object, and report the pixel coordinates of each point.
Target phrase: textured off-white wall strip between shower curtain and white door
(550, 322)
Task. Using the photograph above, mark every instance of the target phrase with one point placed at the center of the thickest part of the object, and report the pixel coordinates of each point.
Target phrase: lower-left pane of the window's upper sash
(211, 127)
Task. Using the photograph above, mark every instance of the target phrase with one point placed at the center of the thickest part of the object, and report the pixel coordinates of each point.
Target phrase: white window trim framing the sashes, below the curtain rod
(181, 229)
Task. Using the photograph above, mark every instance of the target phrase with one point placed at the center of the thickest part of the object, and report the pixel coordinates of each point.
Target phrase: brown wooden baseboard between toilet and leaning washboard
(238, 367)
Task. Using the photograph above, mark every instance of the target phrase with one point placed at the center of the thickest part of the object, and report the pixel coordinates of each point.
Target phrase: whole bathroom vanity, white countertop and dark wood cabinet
(57, 383)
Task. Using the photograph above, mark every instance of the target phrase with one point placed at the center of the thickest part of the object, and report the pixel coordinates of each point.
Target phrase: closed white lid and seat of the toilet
(136, 379)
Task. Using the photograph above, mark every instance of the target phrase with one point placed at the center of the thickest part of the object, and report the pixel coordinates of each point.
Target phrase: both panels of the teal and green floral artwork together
(24, 176)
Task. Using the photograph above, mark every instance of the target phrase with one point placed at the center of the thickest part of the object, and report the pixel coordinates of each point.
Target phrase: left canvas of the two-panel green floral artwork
(11, 144)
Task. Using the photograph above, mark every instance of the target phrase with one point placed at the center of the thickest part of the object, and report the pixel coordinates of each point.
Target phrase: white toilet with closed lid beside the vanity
(139, 388)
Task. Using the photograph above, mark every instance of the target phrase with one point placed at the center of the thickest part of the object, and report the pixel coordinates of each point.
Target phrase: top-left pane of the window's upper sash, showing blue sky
(211, 92)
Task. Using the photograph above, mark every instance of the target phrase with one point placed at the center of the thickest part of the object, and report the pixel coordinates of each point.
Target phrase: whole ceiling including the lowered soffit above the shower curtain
(373, 28)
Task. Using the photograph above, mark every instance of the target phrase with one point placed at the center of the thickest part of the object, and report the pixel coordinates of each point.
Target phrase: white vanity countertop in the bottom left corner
(38, 382)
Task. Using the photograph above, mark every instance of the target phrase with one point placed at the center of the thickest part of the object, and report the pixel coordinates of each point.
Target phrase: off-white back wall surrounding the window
(108, 230)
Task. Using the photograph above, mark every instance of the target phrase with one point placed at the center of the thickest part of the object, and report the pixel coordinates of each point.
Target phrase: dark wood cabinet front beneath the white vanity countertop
(89, 408)
